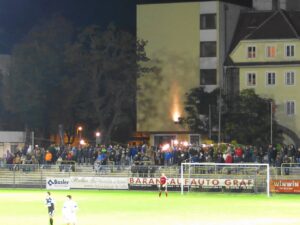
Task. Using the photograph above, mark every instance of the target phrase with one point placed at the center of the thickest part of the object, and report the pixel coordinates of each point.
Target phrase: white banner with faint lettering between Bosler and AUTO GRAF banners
(118, 183)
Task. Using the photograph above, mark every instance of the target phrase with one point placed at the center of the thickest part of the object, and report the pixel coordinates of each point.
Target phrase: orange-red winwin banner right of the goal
(285, 186)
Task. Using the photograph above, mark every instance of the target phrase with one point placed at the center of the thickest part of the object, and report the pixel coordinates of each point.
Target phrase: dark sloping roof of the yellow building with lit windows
(265, 25)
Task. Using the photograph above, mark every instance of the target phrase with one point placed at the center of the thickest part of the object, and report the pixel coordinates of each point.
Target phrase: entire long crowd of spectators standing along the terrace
(144, 155)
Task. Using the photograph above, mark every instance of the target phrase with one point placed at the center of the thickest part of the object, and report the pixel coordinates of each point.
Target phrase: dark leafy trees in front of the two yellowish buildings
(245, 118)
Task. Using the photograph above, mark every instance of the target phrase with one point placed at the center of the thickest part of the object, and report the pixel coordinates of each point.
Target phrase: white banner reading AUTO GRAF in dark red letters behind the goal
(194, 182)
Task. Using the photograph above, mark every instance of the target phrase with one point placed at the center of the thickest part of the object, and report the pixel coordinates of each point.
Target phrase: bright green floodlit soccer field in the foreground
(146, 208)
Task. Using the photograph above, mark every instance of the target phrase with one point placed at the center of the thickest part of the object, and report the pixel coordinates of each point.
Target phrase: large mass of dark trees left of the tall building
(63, 75)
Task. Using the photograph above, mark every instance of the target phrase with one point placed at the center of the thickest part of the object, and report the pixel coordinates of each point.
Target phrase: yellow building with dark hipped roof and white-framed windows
(265, 51)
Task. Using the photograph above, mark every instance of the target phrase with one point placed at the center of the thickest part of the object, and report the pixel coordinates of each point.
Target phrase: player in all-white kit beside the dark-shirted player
(69, 211)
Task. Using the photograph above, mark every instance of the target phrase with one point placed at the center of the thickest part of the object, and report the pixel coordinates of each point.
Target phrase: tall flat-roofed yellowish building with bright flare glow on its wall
(188, 42)
